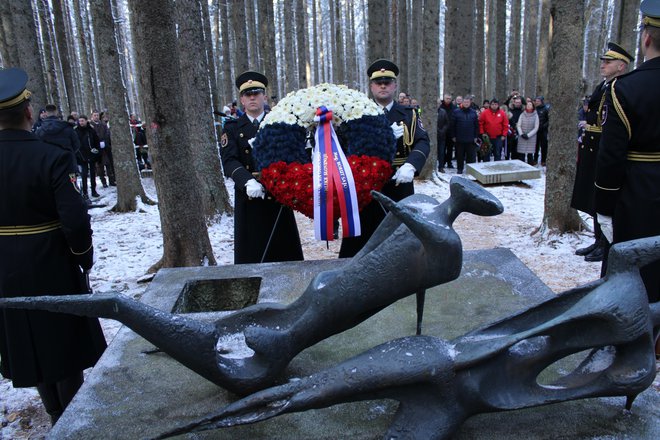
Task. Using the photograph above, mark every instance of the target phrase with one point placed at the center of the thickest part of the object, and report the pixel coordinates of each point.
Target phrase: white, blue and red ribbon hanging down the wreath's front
(332, 174)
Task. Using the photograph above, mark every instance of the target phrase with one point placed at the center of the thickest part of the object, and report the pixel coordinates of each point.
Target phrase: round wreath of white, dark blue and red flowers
(282, 148)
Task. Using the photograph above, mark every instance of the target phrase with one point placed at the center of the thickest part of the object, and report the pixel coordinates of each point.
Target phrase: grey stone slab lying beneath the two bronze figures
(131, 395)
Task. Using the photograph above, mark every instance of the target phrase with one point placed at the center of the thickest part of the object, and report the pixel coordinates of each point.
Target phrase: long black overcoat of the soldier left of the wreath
(256, 221)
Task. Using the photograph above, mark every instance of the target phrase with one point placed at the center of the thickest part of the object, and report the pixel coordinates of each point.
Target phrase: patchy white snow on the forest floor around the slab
(128, 244)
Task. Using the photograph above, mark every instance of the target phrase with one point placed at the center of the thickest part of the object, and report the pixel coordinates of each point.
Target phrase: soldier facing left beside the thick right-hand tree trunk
(613, 64)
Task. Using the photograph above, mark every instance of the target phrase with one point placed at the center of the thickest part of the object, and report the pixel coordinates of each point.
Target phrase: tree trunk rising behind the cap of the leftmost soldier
(25, 32)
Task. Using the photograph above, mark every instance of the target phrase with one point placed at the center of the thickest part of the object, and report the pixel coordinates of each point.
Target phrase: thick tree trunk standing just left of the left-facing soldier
(567, 22)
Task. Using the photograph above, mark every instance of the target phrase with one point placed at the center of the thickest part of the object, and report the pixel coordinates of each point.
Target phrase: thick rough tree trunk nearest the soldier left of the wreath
(185, 237)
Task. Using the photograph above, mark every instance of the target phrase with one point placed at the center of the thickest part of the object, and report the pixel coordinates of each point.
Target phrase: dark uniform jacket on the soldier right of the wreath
(416, 153)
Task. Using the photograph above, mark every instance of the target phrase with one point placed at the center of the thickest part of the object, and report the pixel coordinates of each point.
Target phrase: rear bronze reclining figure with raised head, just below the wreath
(414, 248)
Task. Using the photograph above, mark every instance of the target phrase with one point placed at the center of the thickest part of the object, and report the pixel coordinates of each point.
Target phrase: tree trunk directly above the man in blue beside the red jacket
(459, 23)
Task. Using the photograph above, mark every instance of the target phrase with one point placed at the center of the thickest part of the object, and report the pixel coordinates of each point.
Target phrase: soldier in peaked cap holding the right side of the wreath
(412, 150)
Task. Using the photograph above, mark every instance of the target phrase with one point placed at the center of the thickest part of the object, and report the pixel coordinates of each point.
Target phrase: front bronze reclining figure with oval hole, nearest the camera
(441, 383)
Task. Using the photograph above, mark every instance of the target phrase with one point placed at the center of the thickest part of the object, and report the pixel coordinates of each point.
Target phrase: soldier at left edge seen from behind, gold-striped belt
(45, 245)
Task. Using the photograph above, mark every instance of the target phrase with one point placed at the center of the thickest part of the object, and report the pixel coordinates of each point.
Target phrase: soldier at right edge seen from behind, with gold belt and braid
(628, 166)
